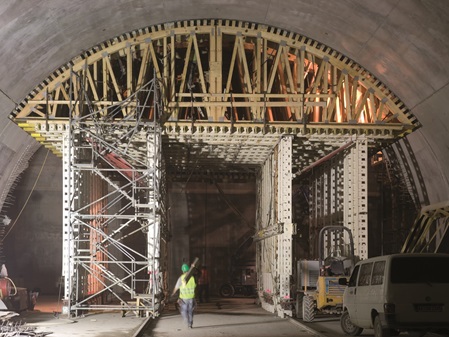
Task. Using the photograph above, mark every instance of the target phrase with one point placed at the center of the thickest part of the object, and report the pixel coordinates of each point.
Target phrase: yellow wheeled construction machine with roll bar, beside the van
(318, 289)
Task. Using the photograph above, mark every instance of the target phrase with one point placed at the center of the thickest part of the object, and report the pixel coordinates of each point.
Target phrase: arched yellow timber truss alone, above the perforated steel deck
(223, 71)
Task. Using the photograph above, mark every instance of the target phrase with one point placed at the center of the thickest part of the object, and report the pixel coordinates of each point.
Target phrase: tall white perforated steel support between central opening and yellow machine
(275, 229)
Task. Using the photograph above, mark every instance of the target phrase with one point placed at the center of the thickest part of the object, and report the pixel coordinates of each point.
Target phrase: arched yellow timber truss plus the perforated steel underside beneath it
(228, 90)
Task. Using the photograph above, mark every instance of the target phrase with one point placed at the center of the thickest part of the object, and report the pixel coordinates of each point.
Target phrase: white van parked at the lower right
(399, 292)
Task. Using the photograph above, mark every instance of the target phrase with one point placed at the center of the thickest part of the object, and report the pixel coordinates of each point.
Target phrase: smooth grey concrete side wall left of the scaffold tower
(33, 245)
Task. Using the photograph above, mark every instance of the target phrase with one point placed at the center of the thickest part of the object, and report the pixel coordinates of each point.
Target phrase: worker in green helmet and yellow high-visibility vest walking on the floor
(186, 299)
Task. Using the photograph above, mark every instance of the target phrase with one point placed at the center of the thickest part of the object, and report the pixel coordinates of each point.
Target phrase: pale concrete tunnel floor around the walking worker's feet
(231, 317)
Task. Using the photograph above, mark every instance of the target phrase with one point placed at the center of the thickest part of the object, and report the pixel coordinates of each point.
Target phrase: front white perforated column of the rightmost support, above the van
(356, 195)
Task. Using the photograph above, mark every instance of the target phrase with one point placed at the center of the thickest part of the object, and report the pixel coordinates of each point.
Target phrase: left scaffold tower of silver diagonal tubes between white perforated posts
(113, 209)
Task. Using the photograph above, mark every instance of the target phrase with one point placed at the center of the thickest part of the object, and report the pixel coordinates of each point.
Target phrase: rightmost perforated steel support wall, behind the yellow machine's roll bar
(338, 193)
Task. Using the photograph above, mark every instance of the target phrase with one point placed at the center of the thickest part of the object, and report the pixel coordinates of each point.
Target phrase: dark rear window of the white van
(418, 269)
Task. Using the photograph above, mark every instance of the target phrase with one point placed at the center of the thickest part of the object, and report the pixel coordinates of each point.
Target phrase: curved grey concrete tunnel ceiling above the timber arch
(403, 43)
